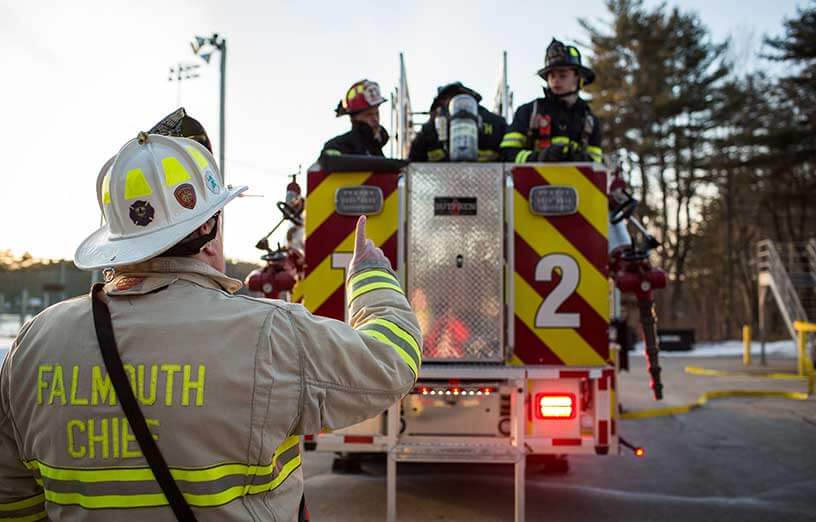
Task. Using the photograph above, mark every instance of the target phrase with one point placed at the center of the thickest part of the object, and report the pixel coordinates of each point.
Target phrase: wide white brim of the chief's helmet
(102, 250)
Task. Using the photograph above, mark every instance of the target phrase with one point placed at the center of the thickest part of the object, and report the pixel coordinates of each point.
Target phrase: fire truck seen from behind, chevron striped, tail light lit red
(511, 270)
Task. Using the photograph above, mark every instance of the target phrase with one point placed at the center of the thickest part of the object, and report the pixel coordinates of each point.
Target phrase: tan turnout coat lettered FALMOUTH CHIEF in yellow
(226, 383)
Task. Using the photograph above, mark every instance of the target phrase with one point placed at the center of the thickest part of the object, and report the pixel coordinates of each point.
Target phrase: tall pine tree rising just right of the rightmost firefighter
(659, 74)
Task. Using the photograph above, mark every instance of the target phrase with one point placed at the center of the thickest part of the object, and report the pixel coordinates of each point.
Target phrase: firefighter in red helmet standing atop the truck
(366, 137)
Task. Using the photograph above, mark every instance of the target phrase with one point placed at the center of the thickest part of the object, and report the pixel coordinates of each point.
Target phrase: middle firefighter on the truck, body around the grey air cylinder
(431, 143)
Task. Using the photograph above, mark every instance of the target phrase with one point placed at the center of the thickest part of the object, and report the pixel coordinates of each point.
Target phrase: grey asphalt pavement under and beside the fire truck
(736, 459)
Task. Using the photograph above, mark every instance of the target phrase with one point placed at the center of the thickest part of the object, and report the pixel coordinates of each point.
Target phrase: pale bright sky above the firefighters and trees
(80, 81)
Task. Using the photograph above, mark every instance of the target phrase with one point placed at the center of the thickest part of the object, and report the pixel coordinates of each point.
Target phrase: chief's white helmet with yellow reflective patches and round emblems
(154, 192)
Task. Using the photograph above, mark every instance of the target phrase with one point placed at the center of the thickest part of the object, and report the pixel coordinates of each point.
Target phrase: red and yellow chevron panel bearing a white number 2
(561, 269)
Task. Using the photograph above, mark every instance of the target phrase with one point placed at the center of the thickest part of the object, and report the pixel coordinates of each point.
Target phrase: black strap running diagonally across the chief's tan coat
(116, 371)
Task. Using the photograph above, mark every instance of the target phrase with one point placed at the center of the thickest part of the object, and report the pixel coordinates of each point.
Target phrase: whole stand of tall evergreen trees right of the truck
(719, 157)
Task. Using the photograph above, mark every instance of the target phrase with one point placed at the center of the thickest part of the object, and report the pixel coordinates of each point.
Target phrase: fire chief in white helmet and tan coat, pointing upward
(225, 382)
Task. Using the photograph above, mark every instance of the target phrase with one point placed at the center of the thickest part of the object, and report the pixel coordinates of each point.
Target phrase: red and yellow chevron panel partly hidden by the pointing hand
(330, 237)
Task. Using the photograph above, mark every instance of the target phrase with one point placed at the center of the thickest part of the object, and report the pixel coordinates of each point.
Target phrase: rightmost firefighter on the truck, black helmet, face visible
(560, 126)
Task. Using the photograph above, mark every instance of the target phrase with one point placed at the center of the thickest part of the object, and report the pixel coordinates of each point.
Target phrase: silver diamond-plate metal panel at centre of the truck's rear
(455, 259)
